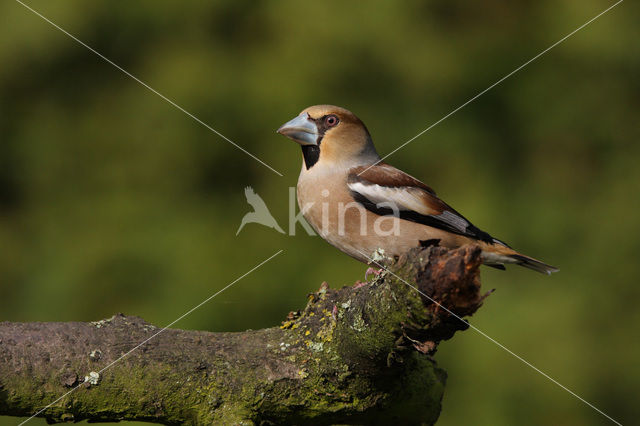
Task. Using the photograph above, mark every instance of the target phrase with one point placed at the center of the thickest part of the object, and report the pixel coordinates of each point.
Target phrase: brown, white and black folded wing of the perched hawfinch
(385, 190)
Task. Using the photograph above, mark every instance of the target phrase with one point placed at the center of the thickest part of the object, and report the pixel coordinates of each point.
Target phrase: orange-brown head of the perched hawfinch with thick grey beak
(331, 135)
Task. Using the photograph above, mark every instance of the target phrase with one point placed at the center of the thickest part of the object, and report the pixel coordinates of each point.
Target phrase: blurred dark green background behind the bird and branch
(112, 200)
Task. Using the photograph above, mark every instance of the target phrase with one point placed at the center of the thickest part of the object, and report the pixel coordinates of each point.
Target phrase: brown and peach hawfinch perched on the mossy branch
(367, 208)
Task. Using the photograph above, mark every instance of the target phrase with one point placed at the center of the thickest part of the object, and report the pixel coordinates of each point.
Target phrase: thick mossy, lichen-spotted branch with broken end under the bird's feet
(356, 355)
